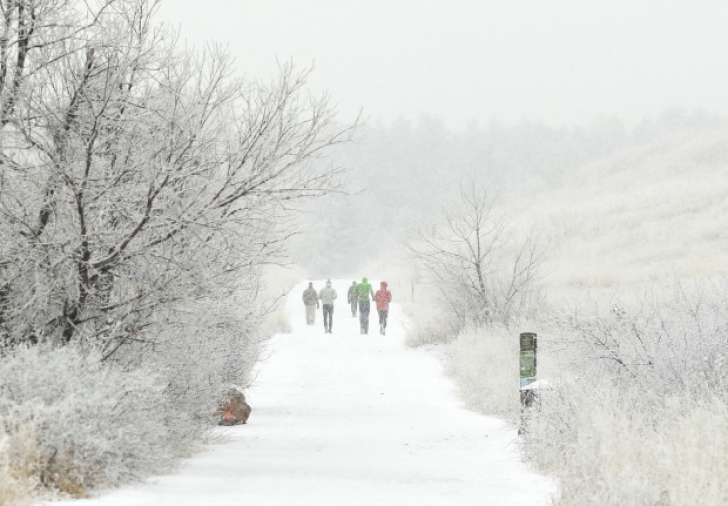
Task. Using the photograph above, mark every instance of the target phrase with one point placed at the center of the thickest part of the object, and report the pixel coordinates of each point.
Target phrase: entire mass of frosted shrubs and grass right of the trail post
(640, 414)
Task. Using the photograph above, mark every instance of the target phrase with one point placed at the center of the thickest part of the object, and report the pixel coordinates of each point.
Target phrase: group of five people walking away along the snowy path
(359, 296)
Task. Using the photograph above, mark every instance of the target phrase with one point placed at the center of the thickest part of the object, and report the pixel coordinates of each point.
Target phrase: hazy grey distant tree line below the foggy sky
(402, 174)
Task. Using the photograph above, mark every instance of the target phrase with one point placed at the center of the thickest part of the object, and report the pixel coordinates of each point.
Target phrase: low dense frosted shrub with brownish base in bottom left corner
(72, 423)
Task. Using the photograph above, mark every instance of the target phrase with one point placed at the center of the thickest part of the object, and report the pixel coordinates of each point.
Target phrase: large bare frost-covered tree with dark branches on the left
(139, 184)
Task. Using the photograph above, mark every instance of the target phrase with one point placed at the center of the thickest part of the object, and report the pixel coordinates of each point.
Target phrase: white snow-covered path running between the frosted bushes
(346, 419)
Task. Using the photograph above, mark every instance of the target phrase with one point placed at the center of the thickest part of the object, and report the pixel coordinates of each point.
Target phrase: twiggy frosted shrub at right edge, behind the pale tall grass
(669, 347)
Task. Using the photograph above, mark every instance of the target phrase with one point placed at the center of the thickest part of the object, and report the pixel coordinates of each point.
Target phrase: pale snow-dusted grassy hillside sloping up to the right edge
(639, 218)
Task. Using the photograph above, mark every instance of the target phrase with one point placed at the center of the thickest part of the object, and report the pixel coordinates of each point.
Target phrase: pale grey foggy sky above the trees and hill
(556, 61)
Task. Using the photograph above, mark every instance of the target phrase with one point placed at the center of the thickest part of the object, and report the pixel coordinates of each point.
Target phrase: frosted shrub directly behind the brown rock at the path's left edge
(213, 346)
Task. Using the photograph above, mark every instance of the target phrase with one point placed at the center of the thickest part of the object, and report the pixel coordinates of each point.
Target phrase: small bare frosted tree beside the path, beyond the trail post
(481, 275)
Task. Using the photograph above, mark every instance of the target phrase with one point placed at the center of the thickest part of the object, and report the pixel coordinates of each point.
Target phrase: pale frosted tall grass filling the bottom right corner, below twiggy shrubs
(629, 448)
